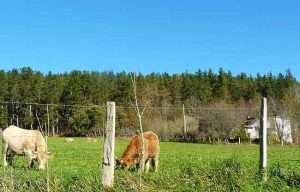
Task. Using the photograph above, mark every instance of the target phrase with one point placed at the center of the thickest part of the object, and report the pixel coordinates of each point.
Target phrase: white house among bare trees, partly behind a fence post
(276, 125)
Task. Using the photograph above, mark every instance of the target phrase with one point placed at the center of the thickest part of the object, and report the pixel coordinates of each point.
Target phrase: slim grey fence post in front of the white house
(263, 139)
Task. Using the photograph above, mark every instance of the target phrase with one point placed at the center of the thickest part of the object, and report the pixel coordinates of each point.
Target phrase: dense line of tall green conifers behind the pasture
(81, 96)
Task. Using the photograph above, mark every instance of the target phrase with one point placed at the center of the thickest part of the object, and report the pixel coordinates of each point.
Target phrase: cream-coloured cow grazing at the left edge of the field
(31, 143)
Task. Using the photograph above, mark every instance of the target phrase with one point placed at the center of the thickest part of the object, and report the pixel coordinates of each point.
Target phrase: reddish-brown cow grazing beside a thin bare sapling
(131, 155)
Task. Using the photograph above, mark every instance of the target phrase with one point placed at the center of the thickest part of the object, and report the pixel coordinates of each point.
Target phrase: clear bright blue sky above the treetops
(151, 36)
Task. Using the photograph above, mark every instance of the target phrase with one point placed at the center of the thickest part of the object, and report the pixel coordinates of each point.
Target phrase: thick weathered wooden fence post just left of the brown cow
(108, 162)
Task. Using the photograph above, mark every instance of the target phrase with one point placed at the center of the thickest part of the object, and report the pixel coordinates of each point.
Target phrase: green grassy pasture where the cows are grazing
(183, 167)
